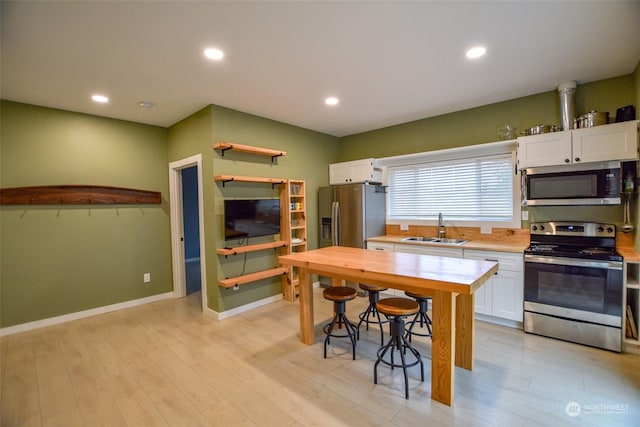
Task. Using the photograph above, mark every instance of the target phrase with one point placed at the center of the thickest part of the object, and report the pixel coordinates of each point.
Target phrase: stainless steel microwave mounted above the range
(583, 184)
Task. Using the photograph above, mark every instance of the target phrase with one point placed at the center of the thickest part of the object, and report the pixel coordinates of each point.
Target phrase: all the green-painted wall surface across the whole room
(58, 260)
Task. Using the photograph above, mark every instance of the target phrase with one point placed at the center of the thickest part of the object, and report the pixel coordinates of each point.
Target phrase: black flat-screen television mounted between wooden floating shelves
(251, 218)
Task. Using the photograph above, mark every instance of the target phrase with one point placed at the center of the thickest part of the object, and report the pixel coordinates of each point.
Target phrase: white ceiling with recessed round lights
(389, 62)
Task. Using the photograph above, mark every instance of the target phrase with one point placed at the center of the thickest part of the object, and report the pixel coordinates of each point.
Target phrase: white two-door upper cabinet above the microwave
(618, 141)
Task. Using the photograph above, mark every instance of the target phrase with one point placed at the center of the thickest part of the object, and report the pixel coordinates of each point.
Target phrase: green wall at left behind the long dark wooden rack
(61, 259)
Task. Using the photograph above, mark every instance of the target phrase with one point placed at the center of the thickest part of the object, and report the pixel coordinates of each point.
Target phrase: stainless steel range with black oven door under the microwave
(573, 283)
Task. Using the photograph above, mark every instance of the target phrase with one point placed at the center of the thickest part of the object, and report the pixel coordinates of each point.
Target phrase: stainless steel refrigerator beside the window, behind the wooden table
(349, 214)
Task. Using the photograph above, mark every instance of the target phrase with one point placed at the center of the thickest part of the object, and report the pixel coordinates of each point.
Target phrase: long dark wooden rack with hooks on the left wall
(76, 195)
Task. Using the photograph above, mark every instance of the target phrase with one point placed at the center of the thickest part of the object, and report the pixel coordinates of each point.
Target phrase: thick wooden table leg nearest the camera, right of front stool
(443, 347)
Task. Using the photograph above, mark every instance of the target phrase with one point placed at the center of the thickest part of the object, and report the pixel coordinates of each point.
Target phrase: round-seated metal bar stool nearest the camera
(397, 309)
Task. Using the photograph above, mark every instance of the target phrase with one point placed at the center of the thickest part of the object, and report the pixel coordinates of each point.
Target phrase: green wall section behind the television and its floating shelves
(308, 156)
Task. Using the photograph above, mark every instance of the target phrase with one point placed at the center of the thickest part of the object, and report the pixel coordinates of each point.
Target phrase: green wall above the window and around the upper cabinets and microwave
(478, 126)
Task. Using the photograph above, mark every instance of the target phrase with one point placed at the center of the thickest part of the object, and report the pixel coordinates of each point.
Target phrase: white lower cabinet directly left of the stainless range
(502, 295)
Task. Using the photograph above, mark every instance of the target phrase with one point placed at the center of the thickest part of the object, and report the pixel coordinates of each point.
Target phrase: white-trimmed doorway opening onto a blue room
(187, 228)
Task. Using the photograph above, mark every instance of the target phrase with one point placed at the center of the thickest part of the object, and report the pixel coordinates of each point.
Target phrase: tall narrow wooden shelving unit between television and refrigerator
(295, 221)
